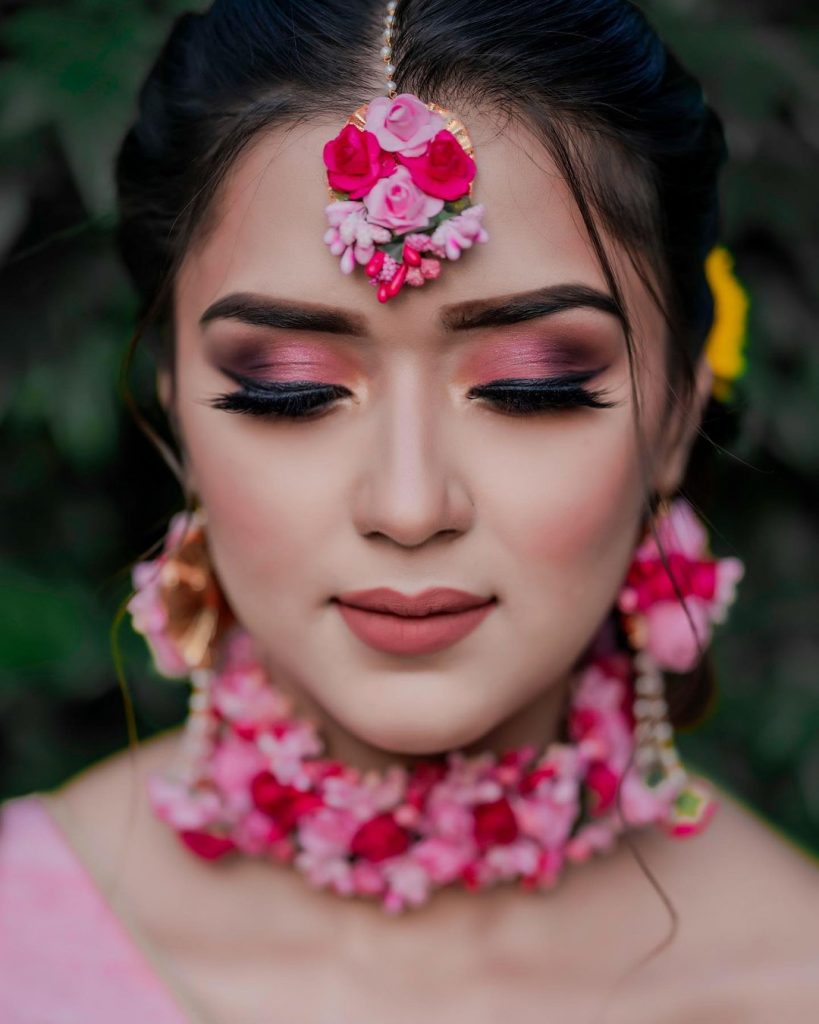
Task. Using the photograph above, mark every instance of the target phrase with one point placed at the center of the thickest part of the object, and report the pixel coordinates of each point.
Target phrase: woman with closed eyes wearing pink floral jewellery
(438, 559)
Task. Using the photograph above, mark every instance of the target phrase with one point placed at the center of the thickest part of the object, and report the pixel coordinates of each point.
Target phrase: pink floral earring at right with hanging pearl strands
(663, 638)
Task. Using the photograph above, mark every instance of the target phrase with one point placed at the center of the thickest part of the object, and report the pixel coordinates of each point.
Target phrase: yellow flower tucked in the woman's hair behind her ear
(724, 345)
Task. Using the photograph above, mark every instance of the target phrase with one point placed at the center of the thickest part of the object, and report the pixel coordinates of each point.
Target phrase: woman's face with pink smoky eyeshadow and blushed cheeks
(406, 481)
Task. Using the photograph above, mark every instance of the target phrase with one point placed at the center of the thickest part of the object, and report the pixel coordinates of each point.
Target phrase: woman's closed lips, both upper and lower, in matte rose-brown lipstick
(398, 624)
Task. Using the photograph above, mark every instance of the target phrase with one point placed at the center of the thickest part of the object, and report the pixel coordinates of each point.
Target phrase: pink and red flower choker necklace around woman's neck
(251, 780)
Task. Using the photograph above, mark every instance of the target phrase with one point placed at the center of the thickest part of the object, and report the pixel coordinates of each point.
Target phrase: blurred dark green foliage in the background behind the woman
(83, 494)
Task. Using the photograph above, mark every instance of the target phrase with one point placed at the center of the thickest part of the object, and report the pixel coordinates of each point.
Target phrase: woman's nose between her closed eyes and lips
(412, 486)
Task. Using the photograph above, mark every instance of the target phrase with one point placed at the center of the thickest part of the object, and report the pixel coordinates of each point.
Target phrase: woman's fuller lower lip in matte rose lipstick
(406, 635)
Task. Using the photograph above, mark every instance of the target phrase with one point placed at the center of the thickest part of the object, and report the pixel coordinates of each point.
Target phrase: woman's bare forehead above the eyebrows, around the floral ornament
(266, 234)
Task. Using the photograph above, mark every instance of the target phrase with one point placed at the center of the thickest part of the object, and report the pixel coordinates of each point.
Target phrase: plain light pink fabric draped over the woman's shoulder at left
(65, 956)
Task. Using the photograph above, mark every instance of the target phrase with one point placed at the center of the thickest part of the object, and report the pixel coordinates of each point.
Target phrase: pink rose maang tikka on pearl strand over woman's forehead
(400, 176)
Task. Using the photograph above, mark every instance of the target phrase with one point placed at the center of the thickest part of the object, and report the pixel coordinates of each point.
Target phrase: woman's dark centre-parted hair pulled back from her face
(628, 126)
